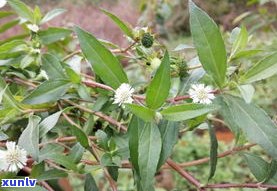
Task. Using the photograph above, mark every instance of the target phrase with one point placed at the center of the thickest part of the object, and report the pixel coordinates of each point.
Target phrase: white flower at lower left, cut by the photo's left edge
(13, 158)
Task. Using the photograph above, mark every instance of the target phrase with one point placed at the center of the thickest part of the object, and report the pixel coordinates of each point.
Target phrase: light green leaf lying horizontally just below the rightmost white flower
(186, 111)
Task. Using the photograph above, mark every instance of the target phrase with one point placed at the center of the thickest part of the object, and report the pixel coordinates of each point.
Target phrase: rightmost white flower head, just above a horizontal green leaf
(201, 94)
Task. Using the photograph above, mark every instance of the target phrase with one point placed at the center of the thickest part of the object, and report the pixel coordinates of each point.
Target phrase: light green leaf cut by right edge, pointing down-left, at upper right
(265, 68)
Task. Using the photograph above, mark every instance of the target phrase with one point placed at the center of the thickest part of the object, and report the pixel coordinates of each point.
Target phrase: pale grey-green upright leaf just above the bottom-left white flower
(29, 138)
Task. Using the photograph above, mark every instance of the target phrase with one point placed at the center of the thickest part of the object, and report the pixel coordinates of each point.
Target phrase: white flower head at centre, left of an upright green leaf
(123, 94)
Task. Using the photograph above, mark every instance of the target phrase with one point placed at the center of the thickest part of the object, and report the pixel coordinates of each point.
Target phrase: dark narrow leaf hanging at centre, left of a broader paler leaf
(134, 132)
